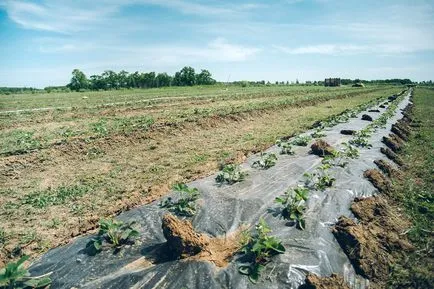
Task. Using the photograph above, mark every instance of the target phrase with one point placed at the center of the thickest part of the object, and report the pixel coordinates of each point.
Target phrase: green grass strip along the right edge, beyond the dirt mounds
(414, 193)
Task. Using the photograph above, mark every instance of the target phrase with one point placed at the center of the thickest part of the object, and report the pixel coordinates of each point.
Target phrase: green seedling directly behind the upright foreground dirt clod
(185, 204)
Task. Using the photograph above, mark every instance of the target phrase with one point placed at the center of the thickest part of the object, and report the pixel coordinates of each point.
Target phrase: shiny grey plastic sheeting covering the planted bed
(223, 209)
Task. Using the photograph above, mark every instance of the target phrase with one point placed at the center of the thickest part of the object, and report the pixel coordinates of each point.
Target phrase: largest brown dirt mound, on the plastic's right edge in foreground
(370, 243)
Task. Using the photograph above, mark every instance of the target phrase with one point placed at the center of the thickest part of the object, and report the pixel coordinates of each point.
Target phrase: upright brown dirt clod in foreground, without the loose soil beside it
(181, 238)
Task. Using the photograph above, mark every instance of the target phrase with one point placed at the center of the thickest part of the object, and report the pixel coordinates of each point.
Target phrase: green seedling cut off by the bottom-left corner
(14, 275)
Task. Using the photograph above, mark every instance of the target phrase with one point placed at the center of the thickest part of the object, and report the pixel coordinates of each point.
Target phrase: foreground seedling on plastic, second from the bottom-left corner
(114, 233)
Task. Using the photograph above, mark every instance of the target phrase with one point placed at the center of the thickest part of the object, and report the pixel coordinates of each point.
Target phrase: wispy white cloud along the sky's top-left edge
(74, 16)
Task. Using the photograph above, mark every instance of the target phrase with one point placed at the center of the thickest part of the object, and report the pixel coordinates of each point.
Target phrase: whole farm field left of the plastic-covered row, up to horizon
(95, 154)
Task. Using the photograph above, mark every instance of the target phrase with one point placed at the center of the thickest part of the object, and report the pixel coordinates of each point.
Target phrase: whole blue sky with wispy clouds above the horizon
(42, 41)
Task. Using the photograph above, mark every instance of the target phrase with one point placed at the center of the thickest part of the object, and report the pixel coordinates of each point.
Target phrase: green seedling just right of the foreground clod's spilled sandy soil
(259, 248)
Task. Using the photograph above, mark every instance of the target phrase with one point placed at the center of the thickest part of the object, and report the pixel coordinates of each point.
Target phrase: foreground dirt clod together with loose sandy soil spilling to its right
(184, 242)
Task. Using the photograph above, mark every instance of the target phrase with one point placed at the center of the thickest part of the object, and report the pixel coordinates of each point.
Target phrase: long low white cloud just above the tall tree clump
(216, 50)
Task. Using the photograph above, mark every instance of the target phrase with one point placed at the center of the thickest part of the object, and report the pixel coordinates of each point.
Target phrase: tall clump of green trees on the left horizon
(111, 80)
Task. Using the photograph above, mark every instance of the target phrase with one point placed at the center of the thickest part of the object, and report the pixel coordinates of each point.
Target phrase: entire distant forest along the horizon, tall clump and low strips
(187, 76)
